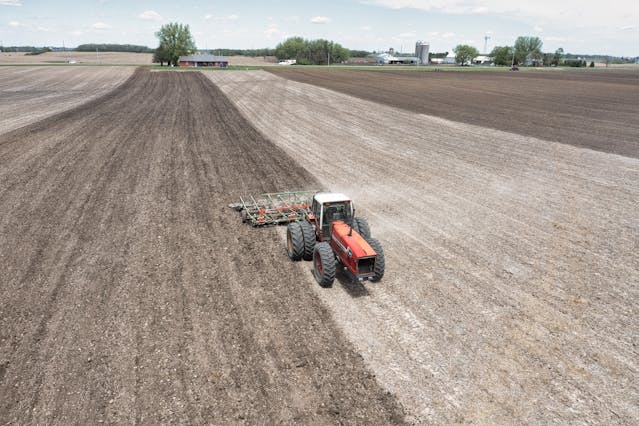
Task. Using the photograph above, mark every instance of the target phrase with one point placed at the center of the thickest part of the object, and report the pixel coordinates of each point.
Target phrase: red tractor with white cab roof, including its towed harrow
(325, 231)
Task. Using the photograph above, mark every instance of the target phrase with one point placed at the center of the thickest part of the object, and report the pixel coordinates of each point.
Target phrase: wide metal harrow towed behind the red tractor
(274, 207)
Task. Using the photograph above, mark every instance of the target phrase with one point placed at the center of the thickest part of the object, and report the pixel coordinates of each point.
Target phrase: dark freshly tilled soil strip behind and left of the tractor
(132, 294)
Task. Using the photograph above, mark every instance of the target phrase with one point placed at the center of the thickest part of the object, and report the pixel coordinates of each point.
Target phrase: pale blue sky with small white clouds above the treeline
(578, 26)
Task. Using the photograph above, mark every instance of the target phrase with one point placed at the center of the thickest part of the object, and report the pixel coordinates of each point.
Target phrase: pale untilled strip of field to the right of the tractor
(511, 289)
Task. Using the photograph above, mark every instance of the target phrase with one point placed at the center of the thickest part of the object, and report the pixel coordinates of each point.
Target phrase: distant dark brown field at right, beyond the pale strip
(593, 109)
